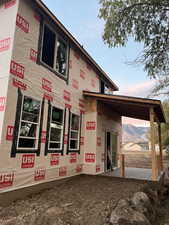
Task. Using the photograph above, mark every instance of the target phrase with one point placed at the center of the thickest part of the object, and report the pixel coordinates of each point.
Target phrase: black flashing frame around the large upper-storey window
(54, 29)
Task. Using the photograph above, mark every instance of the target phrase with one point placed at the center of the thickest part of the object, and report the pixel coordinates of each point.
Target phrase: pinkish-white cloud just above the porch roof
(139, 90)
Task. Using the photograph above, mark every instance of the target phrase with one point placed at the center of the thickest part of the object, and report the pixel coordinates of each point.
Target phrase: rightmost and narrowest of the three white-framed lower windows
(74, 132)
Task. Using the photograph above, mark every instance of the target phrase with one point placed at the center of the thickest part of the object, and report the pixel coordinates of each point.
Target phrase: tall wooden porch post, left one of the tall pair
(152, 139)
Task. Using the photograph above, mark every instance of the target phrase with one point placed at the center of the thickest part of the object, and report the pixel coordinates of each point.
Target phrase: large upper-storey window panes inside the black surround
(54, 51)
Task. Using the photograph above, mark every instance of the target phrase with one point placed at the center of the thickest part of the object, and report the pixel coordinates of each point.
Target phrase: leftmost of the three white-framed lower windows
(29, 124)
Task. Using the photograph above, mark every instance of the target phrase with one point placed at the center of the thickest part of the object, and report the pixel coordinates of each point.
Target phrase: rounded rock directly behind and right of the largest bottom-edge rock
(142, 204)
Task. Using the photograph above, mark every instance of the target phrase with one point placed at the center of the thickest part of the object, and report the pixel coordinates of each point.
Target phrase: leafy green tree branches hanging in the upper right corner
(146, 21)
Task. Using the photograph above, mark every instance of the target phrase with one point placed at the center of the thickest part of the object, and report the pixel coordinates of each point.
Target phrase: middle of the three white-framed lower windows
(56, 129)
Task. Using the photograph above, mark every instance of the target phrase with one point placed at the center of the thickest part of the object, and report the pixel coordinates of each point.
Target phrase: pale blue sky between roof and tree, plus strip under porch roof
(81, 19)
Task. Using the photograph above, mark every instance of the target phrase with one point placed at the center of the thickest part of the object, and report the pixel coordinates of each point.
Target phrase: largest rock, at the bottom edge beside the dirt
(124, 214)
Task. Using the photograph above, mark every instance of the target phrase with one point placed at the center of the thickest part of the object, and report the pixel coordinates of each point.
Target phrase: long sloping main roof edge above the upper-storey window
(90, 60)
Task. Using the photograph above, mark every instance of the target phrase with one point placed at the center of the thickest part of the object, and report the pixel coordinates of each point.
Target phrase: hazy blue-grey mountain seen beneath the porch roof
(131, 133)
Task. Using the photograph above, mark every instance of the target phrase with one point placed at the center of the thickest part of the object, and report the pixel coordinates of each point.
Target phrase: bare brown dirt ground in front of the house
(81, 200)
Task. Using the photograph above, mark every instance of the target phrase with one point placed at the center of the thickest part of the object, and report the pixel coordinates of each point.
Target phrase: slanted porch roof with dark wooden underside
(138, 108)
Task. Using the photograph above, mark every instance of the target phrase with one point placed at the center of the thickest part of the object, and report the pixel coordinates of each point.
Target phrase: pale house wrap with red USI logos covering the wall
(81, 77)
